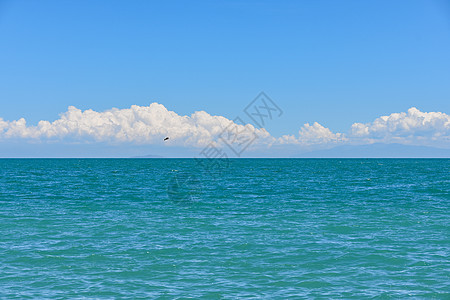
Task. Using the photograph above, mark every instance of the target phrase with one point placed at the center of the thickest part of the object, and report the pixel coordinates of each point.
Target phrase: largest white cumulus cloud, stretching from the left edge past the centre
(138, 124)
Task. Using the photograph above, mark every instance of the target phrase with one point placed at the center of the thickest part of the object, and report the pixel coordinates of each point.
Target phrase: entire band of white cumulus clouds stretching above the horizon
(150, 124)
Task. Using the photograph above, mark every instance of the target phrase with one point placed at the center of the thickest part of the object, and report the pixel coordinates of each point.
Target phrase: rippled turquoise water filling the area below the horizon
(257, 228)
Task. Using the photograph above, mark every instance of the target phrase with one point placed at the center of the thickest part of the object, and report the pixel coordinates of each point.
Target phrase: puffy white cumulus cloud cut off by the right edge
(412, 126)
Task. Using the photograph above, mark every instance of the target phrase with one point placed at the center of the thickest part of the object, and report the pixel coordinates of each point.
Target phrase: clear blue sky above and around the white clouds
(332, 62)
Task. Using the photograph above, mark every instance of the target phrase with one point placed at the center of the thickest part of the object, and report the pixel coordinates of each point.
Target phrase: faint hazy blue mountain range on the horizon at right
(379, 150)
